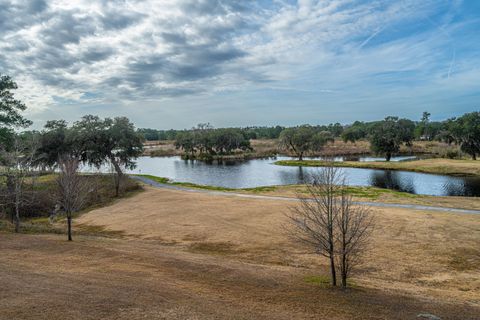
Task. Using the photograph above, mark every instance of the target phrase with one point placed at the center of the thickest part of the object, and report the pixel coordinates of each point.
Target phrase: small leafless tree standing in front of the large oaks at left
(72, 189)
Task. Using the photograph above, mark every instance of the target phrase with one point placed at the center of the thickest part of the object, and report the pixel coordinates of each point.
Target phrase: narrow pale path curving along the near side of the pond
(155, 184)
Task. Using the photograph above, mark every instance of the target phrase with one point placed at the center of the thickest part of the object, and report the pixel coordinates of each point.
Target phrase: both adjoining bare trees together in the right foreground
(328, 221)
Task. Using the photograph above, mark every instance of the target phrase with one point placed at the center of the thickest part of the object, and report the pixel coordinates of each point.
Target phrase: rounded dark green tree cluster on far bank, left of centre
(205, 142)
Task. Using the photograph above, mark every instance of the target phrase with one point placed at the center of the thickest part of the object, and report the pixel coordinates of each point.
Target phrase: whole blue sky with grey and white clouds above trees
(175, 63)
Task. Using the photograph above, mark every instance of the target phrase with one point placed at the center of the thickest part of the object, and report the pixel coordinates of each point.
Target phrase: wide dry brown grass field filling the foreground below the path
(181, 255)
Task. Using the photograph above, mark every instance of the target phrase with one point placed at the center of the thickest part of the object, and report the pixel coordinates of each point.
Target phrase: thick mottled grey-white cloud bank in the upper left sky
(66, 41)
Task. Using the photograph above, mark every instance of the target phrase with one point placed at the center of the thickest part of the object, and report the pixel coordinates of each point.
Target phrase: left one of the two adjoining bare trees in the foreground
(314, 219)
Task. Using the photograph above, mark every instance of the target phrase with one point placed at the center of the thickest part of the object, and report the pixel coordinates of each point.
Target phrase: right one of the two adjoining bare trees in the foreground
(353, 226)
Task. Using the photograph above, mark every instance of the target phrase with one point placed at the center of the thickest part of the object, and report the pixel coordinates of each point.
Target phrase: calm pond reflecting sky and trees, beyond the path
(262, 172)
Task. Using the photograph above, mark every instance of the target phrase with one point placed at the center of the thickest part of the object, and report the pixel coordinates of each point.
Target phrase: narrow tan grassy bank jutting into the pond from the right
(437, 166)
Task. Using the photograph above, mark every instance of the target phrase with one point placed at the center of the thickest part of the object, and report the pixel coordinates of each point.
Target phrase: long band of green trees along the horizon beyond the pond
(385, 136)
